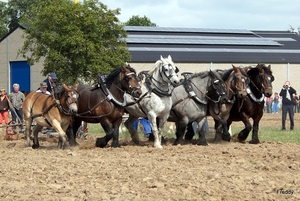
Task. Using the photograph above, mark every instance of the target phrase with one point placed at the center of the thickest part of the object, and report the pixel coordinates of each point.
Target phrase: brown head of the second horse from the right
(239, 82)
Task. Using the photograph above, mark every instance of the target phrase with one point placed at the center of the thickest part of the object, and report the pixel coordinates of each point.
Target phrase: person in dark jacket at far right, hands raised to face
(287, 93)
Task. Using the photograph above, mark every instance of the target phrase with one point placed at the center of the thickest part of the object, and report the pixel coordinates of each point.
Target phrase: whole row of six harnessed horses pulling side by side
(235, 94)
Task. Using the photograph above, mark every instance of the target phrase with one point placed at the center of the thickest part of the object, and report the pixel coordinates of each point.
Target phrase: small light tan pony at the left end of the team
(50, 111)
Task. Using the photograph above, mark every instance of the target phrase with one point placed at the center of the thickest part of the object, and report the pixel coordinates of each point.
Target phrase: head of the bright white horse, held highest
(167, 71)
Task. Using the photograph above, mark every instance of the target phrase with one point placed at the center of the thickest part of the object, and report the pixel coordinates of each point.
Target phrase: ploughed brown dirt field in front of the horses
(225, 171)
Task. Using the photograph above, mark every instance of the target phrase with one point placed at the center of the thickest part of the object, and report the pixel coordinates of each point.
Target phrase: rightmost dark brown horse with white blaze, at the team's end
(252, 106)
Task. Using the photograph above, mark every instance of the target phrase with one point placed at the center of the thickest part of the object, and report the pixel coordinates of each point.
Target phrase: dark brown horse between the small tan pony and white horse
(105, 103)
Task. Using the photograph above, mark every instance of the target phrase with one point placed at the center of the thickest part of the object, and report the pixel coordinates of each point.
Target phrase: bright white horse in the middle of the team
(155, 101)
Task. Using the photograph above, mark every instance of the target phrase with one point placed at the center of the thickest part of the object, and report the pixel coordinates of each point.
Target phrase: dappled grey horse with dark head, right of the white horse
(190, 100)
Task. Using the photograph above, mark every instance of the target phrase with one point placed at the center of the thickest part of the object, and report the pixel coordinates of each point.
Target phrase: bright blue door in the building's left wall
(20, 73)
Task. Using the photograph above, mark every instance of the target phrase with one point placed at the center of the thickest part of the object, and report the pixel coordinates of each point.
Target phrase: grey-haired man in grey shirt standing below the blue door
(17, 98)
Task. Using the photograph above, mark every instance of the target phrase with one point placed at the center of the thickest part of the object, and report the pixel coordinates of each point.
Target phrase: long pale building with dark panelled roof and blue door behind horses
(192, 49)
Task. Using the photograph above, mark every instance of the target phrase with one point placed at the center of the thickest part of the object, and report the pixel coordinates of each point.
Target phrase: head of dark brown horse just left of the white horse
(130, 81)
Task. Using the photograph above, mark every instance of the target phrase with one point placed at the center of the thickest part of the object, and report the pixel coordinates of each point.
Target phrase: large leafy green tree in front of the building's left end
(76, 40)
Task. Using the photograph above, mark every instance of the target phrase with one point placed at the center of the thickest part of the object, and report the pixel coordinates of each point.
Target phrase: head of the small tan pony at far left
(71, 98)
